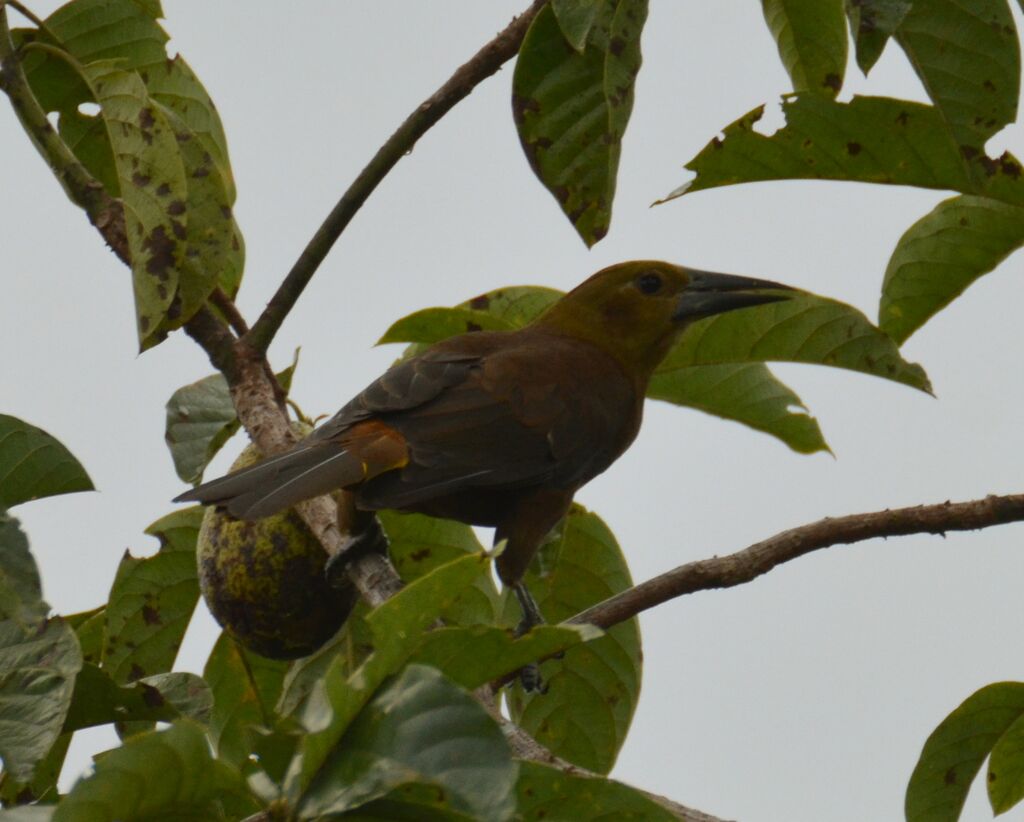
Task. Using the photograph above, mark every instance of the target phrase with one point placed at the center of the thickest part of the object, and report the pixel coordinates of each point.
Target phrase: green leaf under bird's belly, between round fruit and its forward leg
(420, 544)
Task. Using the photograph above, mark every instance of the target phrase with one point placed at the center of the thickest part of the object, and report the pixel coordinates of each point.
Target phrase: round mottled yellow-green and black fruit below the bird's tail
(265, 582)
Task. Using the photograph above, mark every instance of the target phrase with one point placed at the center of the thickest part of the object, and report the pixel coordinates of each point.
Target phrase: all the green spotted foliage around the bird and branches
(380, 723)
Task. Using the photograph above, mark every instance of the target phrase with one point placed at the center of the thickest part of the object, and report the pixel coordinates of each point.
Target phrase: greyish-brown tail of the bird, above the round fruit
(281, 482)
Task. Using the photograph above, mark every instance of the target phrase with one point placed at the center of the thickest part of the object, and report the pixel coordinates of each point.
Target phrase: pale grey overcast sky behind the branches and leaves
(805, 696)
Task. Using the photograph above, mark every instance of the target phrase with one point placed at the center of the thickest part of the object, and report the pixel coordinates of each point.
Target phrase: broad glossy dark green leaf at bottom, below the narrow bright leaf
(420, 729)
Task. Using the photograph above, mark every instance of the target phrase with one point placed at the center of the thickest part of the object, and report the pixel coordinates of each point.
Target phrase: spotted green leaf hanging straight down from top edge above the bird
(572, 108)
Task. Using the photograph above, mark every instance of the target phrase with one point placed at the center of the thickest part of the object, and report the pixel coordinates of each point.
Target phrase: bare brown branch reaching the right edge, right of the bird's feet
(760, 558)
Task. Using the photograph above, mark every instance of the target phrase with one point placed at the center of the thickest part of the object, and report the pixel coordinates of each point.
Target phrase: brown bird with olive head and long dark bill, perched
(501, 428)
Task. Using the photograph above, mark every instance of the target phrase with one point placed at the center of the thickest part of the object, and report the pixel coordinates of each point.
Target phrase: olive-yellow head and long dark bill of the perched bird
(637, 311)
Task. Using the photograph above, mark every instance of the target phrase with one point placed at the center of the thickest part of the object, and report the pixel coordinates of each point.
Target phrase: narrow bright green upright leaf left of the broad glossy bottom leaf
(397, 627)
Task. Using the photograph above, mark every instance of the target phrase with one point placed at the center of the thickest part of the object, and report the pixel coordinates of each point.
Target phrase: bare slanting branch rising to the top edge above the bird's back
(488, 61)
